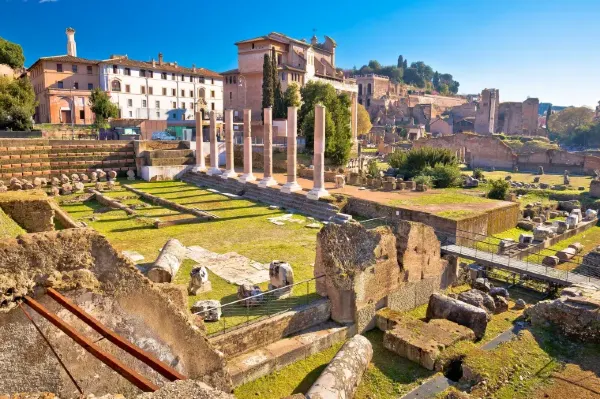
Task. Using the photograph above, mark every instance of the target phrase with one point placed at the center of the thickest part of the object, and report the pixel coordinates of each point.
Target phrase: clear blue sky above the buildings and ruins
(548, 49)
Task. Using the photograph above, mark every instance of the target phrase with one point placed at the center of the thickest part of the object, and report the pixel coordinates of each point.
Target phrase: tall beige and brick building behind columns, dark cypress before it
(298, 61)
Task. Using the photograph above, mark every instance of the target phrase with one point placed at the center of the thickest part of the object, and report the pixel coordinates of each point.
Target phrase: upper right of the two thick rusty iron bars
(160, 367)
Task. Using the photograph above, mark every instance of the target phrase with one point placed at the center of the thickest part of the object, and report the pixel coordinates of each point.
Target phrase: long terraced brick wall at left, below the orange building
(29, 158)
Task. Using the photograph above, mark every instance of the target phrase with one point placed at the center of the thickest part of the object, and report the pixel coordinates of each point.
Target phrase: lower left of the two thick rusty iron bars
(106, 358)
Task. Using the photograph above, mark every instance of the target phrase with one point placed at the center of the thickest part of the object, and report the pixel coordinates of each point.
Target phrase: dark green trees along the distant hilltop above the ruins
(416, 74)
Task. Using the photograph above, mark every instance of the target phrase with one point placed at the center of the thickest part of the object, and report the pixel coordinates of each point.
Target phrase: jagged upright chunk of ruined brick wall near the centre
(396, 266)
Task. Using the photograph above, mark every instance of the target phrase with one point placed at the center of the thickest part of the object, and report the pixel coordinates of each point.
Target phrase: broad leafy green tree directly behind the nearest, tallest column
(338, 136)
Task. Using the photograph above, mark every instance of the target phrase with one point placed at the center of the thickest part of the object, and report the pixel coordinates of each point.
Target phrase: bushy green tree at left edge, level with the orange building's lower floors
(17, 104)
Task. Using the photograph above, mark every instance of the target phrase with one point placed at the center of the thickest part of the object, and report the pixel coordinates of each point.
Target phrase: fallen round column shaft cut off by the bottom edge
(342, 375)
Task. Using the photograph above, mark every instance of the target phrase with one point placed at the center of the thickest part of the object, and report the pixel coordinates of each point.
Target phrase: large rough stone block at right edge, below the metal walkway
(576, 313)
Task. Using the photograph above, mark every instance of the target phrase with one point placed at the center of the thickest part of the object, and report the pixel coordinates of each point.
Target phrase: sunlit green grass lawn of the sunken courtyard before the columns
(242, 227)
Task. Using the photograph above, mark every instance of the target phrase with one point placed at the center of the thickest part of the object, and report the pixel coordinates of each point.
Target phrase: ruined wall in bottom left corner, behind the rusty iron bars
(87, 269)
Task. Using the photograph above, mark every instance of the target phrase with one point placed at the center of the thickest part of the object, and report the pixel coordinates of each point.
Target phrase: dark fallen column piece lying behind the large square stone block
(443, 307)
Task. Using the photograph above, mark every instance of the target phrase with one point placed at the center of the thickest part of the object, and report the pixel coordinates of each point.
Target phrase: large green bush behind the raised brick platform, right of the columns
(413, 162)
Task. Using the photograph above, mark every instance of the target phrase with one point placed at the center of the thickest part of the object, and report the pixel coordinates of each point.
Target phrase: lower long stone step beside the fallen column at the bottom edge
(268, 359)
